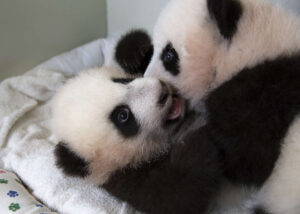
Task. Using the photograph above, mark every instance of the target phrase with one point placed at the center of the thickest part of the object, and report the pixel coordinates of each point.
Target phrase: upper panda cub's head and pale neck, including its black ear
(200, 44)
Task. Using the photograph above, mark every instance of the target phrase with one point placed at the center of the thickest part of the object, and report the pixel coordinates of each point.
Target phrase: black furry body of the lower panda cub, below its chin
(182, 182)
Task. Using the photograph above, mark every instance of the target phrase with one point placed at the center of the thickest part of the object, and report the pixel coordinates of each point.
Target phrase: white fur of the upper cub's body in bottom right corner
(281, 192)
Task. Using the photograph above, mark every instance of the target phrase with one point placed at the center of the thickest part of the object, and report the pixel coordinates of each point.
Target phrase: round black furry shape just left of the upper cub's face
(134, 52)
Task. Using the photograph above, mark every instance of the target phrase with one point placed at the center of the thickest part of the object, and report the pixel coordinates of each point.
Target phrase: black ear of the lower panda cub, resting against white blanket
(70, 163)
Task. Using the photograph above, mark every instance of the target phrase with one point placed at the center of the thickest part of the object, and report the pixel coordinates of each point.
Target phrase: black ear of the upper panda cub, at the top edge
(227, 14)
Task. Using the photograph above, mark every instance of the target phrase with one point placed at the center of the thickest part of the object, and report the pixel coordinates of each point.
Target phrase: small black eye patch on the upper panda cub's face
(170, 59)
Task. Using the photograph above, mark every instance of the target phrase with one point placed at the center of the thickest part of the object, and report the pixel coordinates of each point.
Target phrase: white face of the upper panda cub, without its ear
(184, 47)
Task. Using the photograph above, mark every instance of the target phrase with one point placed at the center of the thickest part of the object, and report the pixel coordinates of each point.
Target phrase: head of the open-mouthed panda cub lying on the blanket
(106, 120)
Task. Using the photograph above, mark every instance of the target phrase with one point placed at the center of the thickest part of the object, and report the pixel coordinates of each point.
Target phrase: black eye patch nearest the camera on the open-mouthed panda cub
(124, 121)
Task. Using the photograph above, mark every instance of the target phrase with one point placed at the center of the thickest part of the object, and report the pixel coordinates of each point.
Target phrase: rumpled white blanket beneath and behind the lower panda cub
(26, 143)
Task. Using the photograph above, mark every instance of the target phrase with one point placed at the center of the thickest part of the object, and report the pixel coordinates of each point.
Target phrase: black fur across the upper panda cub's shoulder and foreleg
(249, 116)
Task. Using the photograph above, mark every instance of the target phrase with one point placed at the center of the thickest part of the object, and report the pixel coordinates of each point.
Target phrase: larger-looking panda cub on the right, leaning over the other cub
(242, 59)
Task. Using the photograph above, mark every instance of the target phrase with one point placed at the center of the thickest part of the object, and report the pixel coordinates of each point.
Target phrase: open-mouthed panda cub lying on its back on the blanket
(117, 132)
